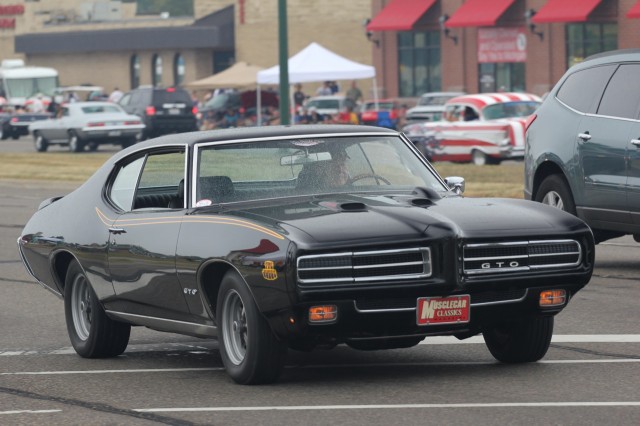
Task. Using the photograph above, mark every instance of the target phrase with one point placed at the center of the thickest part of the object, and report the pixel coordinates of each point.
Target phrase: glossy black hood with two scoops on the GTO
(344, 218)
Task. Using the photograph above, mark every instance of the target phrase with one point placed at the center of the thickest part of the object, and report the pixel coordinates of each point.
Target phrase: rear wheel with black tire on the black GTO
(92, 333)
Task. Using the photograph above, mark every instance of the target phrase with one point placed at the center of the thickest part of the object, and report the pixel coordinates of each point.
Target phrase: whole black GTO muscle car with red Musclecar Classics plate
(300, 237)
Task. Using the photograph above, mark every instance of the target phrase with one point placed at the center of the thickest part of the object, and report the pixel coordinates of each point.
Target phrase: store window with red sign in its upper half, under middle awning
(502, 54)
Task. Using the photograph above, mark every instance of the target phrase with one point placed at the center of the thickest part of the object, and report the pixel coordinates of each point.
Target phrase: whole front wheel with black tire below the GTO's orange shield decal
(250, 351)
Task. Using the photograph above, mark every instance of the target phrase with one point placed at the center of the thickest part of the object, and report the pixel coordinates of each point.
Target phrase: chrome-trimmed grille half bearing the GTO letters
(518, 256)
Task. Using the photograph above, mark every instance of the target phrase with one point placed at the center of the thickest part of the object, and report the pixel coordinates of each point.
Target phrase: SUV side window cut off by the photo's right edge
(622, 95)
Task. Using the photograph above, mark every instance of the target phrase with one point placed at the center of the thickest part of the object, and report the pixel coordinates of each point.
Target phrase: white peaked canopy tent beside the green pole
(316, 63)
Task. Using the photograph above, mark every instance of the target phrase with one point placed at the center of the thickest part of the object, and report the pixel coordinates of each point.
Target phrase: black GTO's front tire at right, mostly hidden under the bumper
(524, 339)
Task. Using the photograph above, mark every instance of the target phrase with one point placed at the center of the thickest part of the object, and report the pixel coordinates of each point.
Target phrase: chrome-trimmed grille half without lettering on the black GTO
(364, 266)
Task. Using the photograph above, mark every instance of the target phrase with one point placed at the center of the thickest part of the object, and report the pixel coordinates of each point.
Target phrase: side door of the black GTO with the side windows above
(143, 237)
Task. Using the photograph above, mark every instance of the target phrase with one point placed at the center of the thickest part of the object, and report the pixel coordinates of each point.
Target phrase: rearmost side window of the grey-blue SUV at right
(581, 88)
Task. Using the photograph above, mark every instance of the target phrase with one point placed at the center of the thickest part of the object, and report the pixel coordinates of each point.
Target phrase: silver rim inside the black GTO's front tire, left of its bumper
(234, 327)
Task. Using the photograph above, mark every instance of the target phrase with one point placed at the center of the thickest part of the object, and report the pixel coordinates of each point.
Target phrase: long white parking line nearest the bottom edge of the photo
(396, 406)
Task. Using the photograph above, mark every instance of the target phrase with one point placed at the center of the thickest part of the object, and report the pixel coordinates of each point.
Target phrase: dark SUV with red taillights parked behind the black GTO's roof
(163, 111)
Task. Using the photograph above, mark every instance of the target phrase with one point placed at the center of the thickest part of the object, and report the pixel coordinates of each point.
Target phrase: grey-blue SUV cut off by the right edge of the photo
(583, 145)
